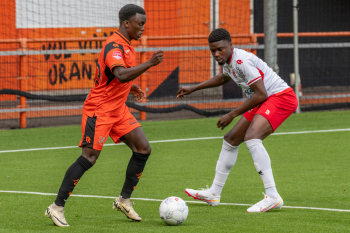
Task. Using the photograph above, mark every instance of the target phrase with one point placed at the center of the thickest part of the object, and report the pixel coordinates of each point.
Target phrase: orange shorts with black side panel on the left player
(95, 130)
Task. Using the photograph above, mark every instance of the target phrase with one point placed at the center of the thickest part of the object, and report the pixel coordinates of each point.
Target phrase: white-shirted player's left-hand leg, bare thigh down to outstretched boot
(226, 161)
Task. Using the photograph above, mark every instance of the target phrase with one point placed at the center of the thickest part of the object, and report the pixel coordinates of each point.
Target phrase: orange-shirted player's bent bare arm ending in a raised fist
(128, 74)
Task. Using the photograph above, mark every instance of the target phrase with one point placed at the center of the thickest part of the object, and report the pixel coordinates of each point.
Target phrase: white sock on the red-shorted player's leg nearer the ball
(227, 159)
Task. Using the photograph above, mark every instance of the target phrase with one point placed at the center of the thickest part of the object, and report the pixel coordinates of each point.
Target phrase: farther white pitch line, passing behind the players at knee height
(175, 140)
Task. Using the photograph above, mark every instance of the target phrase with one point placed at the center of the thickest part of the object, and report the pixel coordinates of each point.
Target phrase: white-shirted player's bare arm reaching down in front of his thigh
(260, 95)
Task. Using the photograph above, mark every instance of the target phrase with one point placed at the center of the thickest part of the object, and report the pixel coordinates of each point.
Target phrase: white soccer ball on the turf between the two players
(173, 211)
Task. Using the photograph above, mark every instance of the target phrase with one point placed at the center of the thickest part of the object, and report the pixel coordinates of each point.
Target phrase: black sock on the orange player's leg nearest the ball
(133, 173)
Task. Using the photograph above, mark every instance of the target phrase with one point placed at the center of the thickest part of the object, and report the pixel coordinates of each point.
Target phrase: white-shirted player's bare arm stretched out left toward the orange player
(216, 81)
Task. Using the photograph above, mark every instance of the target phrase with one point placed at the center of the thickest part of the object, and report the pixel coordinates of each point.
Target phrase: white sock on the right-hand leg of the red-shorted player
(262, 164)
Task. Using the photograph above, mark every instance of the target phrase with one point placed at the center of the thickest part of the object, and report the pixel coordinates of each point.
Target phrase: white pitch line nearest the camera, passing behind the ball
(149, 199)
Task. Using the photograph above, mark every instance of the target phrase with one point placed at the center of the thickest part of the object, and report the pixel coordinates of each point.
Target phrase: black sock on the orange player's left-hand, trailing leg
(71, 178)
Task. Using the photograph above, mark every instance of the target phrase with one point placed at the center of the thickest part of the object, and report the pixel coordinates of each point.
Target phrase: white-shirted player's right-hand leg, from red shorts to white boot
(271, 114)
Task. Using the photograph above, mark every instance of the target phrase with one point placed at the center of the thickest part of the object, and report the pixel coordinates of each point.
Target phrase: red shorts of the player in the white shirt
(276, 109)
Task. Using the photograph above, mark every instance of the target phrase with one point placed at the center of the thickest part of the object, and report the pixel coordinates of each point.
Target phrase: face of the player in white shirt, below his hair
(221, 51)
